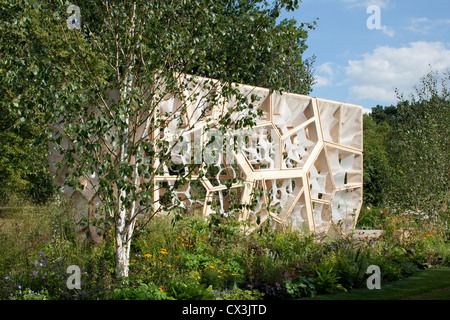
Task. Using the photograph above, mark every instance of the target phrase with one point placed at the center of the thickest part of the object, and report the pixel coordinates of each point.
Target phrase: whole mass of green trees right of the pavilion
(406, 150)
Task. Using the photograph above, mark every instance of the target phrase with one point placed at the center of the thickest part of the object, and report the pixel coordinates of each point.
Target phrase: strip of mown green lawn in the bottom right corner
(430, 284)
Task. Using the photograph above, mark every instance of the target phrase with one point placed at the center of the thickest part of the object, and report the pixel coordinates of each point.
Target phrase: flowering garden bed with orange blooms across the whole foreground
(192, 262)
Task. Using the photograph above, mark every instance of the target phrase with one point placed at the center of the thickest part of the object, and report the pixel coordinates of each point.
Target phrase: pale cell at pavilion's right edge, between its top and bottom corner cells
(346, 167)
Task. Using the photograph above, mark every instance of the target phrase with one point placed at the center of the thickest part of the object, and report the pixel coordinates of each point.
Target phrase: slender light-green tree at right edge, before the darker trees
(419, 148)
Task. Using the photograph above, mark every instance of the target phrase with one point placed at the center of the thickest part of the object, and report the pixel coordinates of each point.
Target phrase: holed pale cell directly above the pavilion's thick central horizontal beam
(298, 145)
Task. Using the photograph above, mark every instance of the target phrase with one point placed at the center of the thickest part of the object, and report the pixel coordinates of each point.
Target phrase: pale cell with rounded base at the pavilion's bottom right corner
(345, 207)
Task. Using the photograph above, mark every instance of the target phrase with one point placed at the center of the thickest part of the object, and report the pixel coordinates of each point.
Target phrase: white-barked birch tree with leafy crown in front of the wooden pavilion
(97, 90)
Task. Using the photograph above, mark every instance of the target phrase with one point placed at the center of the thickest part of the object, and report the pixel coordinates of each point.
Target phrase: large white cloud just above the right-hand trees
(378, 73)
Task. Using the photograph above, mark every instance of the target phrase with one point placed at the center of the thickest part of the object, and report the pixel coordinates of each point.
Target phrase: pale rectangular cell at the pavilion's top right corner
(351, 126)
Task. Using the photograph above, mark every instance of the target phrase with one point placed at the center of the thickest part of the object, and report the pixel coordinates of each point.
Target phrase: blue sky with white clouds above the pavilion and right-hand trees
(364, 66)
